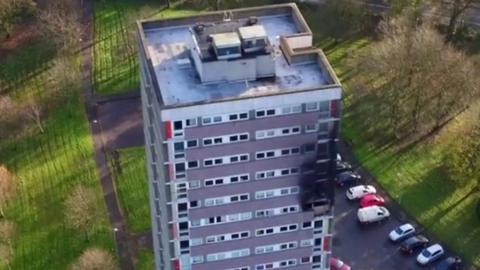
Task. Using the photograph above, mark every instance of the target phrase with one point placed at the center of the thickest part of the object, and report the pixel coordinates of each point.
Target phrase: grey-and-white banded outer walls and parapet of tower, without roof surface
(193, 215)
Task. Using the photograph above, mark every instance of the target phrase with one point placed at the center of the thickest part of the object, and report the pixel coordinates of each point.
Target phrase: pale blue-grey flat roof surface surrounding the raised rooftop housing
(167, 44)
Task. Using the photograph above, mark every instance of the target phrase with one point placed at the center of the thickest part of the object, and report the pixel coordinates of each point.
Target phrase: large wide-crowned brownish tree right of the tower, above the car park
(419, 81)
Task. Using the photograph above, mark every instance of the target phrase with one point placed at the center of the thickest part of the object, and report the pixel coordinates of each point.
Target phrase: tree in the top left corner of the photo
(13, 12)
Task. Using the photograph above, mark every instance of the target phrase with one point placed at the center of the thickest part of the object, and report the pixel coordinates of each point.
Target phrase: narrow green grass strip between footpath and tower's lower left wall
(132, 187)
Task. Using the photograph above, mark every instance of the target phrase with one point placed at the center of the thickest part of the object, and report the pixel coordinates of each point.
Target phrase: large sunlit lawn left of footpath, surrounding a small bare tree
(48, 166)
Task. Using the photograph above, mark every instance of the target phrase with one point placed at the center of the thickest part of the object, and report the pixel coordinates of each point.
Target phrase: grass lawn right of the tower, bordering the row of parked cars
(414, 177)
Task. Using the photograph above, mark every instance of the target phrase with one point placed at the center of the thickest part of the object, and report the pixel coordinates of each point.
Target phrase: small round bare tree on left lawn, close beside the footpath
(81, 209)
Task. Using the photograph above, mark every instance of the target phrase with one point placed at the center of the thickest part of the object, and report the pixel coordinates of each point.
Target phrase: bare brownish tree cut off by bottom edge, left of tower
(95, 259)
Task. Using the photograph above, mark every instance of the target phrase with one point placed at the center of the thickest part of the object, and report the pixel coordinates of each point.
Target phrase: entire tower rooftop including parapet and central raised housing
(179, 48)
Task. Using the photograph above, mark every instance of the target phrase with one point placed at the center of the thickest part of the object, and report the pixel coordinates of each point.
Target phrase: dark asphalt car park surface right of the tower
(368, 247)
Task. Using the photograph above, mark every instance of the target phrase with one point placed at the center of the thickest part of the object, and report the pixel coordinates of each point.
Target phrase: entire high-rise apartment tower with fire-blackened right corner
(241, 119)
